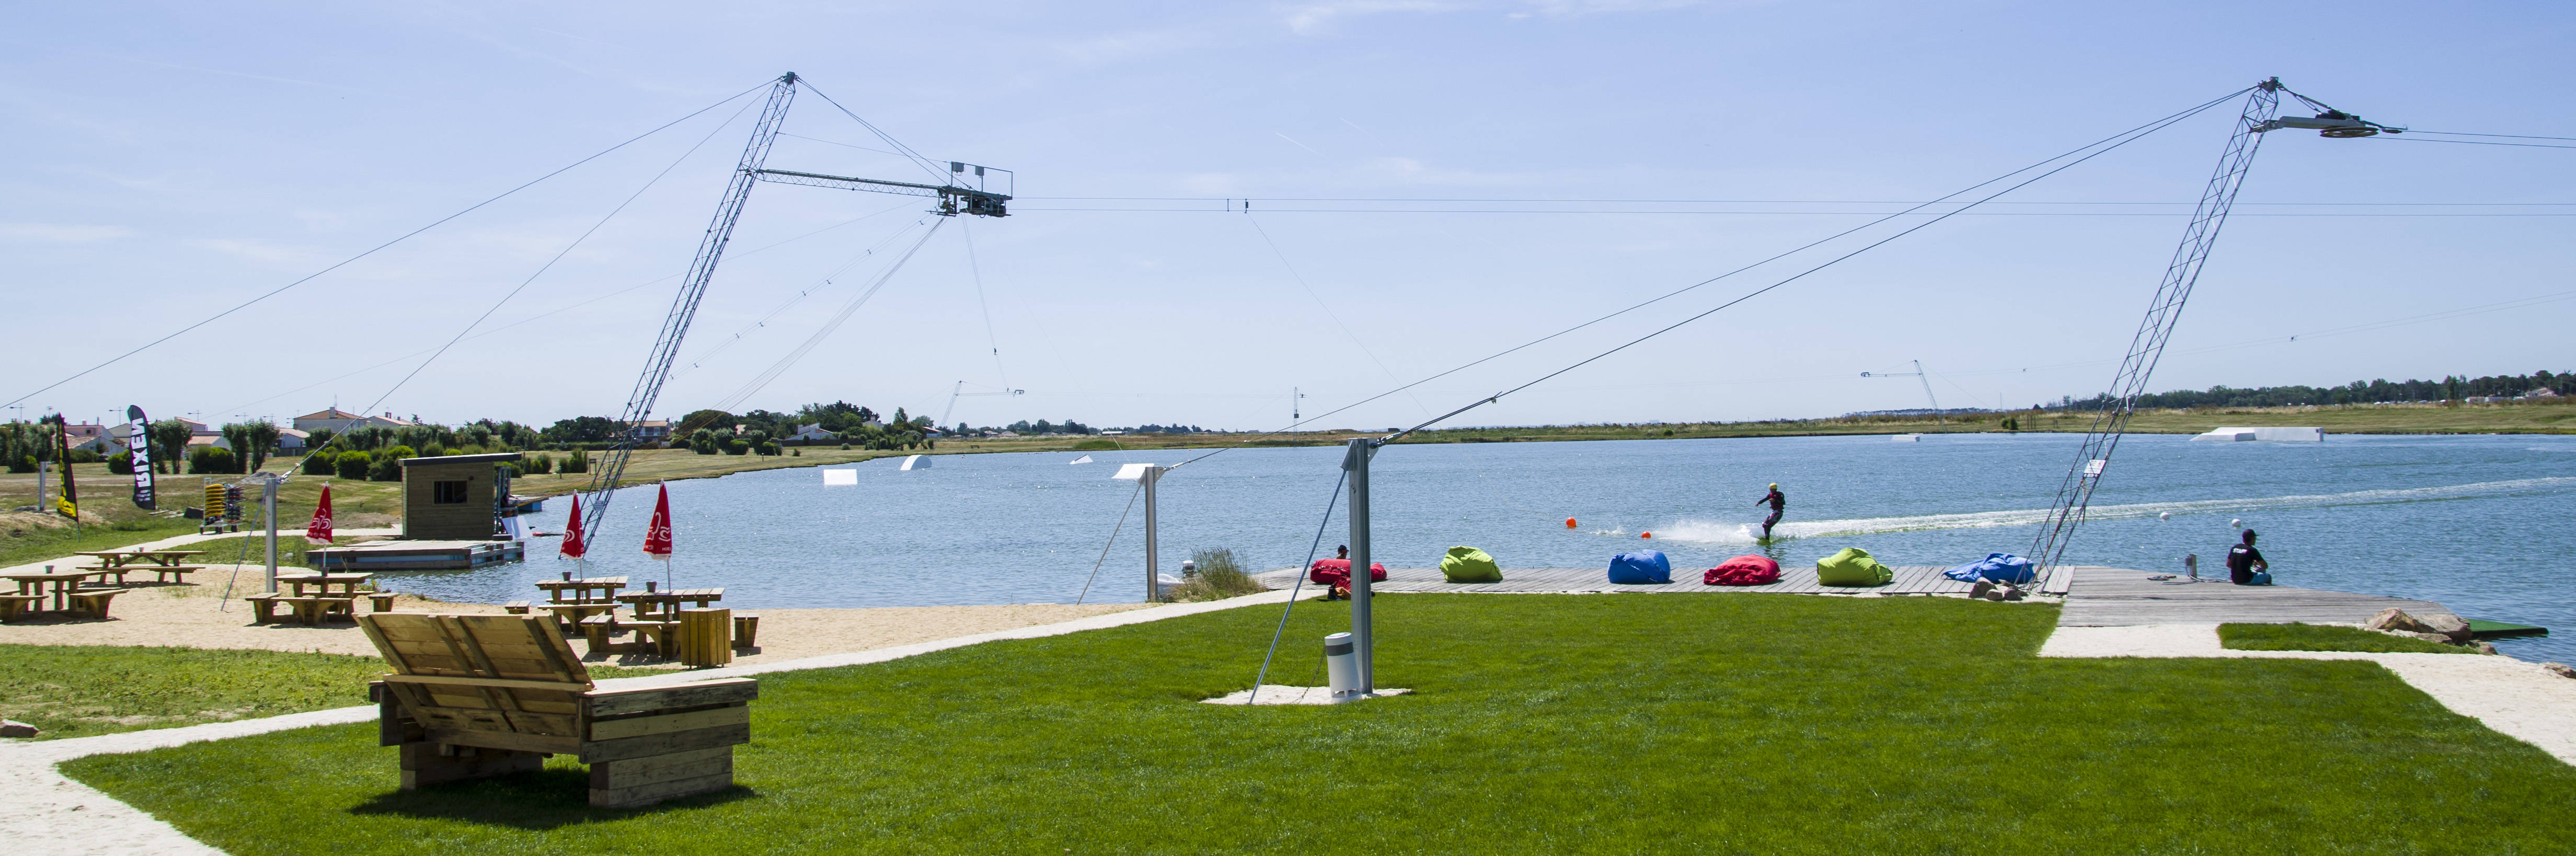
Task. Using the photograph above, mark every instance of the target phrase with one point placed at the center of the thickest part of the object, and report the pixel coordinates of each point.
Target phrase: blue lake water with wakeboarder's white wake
(2474, 522)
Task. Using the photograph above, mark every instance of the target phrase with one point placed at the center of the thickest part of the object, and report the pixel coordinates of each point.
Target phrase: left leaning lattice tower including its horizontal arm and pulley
(970, 192)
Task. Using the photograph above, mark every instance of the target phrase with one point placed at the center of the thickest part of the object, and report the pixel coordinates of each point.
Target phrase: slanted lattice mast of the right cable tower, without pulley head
(2126, 385)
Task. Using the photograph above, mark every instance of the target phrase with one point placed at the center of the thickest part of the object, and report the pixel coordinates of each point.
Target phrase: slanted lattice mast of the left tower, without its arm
(684, 308)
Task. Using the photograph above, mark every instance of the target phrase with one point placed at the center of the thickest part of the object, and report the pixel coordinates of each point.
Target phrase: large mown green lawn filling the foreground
(1539, 726)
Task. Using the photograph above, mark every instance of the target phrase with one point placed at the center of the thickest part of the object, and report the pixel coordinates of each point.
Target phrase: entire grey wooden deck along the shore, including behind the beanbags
(2096, 597)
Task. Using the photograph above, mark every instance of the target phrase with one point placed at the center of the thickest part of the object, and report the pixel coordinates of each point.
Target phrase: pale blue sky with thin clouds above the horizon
(1431, 182)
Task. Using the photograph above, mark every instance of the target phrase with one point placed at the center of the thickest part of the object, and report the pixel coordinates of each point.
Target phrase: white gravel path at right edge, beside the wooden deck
(2513, 697)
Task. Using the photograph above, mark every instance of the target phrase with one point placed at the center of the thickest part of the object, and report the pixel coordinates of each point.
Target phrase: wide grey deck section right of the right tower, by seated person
(2111, 597)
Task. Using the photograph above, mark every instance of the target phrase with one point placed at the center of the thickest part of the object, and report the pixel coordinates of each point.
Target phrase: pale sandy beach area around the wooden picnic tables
(197, 615)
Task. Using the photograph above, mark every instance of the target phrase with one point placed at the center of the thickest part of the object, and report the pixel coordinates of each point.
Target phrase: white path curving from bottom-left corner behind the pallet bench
(48, 813)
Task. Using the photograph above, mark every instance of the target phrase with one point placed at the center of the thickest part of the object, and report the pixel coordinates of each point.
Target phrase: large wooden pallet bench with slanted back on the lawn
(496, 695)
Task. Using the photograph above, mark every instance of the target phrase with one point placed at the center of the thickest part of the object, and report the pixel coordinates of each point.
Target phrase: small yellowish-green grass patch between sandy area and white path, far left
(102, 690)
